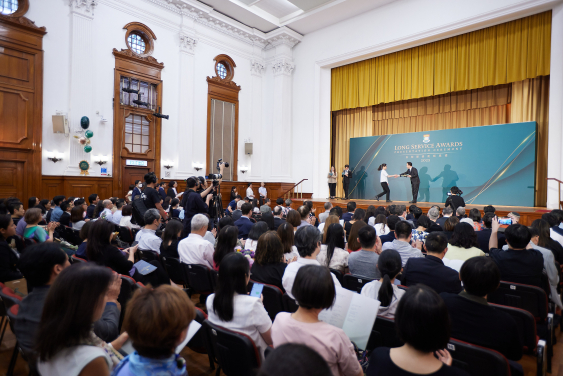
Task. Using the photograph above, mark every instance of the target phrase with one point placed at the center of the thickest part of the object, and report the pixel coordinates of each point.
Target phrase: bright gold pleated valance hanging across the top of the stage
(500, 54)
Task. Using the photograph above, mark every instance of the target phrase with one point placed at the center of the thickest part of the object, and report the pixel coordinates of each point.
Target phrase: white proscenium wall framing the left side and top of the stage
(395, 26)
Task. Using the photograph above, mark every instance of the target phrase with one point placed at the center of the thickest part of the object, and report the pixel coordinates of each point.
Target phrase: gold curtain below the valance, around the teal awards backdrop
(525, 100)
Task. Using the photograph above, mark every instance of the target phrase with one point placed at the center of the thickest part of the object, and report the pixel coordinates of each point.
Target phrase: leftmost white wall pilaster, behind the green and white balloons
(82, 65)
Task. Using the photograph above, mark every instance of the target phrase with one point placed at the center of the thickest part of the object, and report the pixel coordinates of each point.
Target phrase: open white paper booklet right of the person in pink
(353, 313)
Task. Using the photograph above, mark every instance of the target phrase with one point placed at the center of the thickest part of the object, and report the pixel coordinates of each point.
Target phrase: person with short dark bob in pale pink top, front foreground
(314, 290)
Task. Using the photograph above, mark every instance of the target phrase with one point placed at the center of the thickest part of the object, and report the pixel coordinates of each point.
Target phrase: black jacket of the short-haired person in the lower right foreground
(476, 322)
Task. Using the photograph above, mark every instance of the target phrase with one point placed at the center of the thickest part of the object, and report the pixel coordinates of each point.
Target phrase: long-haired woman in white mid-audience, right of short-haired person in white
(333, 254)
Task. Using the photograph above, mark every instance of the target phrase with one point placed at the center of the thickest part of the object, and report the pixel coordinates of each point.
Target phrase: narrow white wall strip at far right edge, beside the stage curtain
(555, 139)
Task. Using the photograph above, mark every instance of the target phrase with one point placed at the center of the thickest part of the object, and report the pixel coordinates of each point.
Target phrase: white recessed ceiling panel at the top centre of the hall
(303, 16)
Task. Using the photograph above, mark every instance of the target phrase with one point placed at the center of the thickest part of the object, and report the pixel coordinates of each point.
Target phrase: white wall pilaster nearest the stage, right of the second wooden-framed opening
(281, 118)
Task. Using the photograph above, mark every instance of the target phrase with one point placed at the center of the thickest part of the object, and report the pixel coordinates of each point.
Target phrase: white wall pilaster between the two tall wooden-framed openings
(188, 42)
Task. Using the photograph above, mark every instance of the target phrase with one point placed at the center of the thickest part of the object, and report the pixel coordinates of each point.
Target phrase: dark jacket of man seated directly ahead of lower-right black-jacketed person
(432, 272)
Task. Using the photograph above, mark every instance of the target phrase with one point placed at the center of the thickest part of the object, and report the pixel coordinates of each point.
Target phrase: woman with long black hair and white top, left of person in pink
(231, 307)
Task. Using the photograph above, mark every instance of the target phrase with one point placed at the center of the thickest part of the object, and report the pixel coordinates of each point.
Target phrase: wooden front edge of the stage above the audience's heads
(527, 214)
